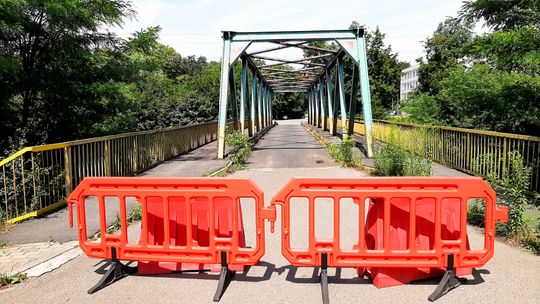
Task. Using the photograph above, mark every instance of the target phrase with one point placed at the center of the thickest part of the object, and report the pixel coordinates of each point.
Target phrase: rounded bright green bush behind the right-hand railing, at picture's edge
(481, 98)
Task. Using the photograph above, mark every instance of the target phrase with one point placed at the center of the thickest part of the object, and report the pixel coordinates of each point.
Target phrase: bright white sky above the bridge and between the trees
(194, 27)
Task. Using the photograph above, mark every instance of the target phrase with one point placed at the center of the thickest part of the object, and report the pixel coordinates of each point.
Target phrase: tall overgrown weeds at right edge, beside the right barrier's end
(523, 225)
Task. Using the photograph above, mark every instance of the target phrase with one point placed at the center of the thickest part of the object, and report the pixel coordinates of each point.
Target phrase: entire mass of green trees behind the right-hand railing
(488, 81)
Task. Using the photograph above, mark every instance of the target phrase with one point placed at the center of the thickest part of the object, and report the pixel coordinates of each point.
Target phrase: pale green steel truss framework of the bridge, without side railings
(323, 90)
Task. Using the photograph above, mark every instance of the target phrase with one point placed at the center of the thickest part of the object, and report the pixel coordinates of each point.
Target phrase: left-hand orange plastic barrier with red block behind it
(186, 223)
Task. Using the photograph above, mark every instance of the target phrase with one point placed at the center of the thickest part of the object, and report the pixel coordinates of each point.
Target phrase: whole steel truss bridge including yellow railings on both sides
(36, 180)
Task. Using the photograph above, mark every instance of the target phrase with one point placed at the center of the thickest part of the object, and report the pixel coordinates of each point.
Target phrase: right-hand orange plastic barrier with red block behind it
(407, 228)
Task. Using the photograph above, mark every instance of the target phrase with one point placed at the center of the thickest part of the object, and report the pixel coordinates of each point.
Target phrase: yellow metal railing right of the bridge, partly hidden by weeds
(462, 148)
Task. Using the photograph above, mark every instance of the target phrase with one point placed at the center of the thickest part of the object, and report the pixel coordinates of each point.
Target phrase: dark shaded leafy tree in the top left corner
(47, 47)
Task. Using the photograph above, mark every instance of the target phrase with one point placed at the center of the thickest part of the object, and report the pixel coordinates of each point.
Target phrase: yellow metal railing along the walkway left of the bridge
(37, 179)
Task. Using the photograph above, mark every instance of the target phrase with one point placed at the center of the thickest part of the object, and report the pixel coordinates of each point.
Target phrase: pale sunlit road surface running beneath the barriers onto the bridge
(512, 276)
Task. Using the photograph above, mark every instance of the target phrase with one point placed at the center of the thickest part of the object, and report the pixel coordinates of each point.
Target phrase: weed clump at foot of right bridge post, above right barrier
(393, 159)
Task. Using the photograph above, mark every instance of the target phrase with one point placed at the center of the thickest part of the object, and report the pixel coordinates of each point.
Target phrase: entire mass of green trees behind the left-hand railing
(63, 76)
